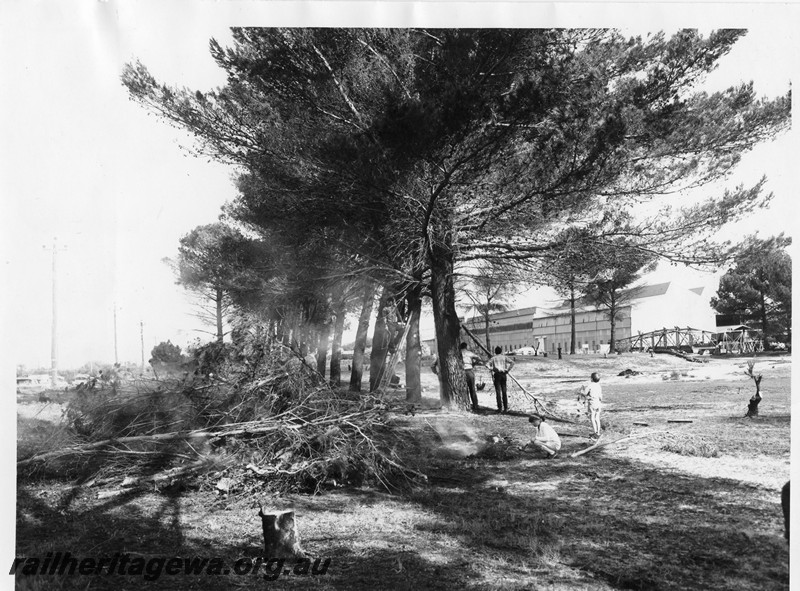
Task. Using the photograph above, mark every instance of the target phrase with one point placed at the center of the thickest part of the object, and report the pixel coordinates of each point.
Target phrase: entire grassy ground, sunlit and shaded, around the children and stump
(694, 505)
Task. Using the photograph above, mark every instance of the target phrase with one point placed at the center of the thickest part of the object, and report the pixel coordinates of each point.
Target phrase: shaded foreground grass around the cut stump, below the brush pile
(594, 522)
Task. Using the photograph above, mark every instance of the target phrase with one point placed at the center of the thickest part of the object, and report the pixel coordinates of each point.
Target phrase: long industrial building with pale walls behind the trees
(648, 308)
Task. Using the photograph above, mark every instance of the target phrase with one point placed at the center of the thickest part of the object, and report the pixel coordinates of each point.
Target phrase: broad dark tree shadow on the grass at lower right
(620, 521)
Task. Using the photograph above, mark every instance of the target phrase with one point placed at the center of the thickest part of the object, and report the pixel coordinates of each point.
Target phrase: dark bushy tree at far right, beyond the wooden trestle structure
(759, 285)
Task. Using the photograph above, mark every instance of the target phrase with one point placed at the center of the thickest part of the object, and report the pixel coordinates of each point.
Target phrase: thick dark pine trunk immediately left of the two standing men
(452, 380)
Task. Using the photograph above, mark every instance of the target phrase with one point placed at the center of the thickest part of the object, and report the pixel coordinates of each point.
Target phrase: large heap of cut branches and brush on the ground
(248, 416)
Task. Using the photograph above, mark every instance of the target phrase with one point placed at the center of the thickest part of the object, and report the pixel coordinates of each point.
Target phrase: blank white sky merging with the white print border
(114, 188)
